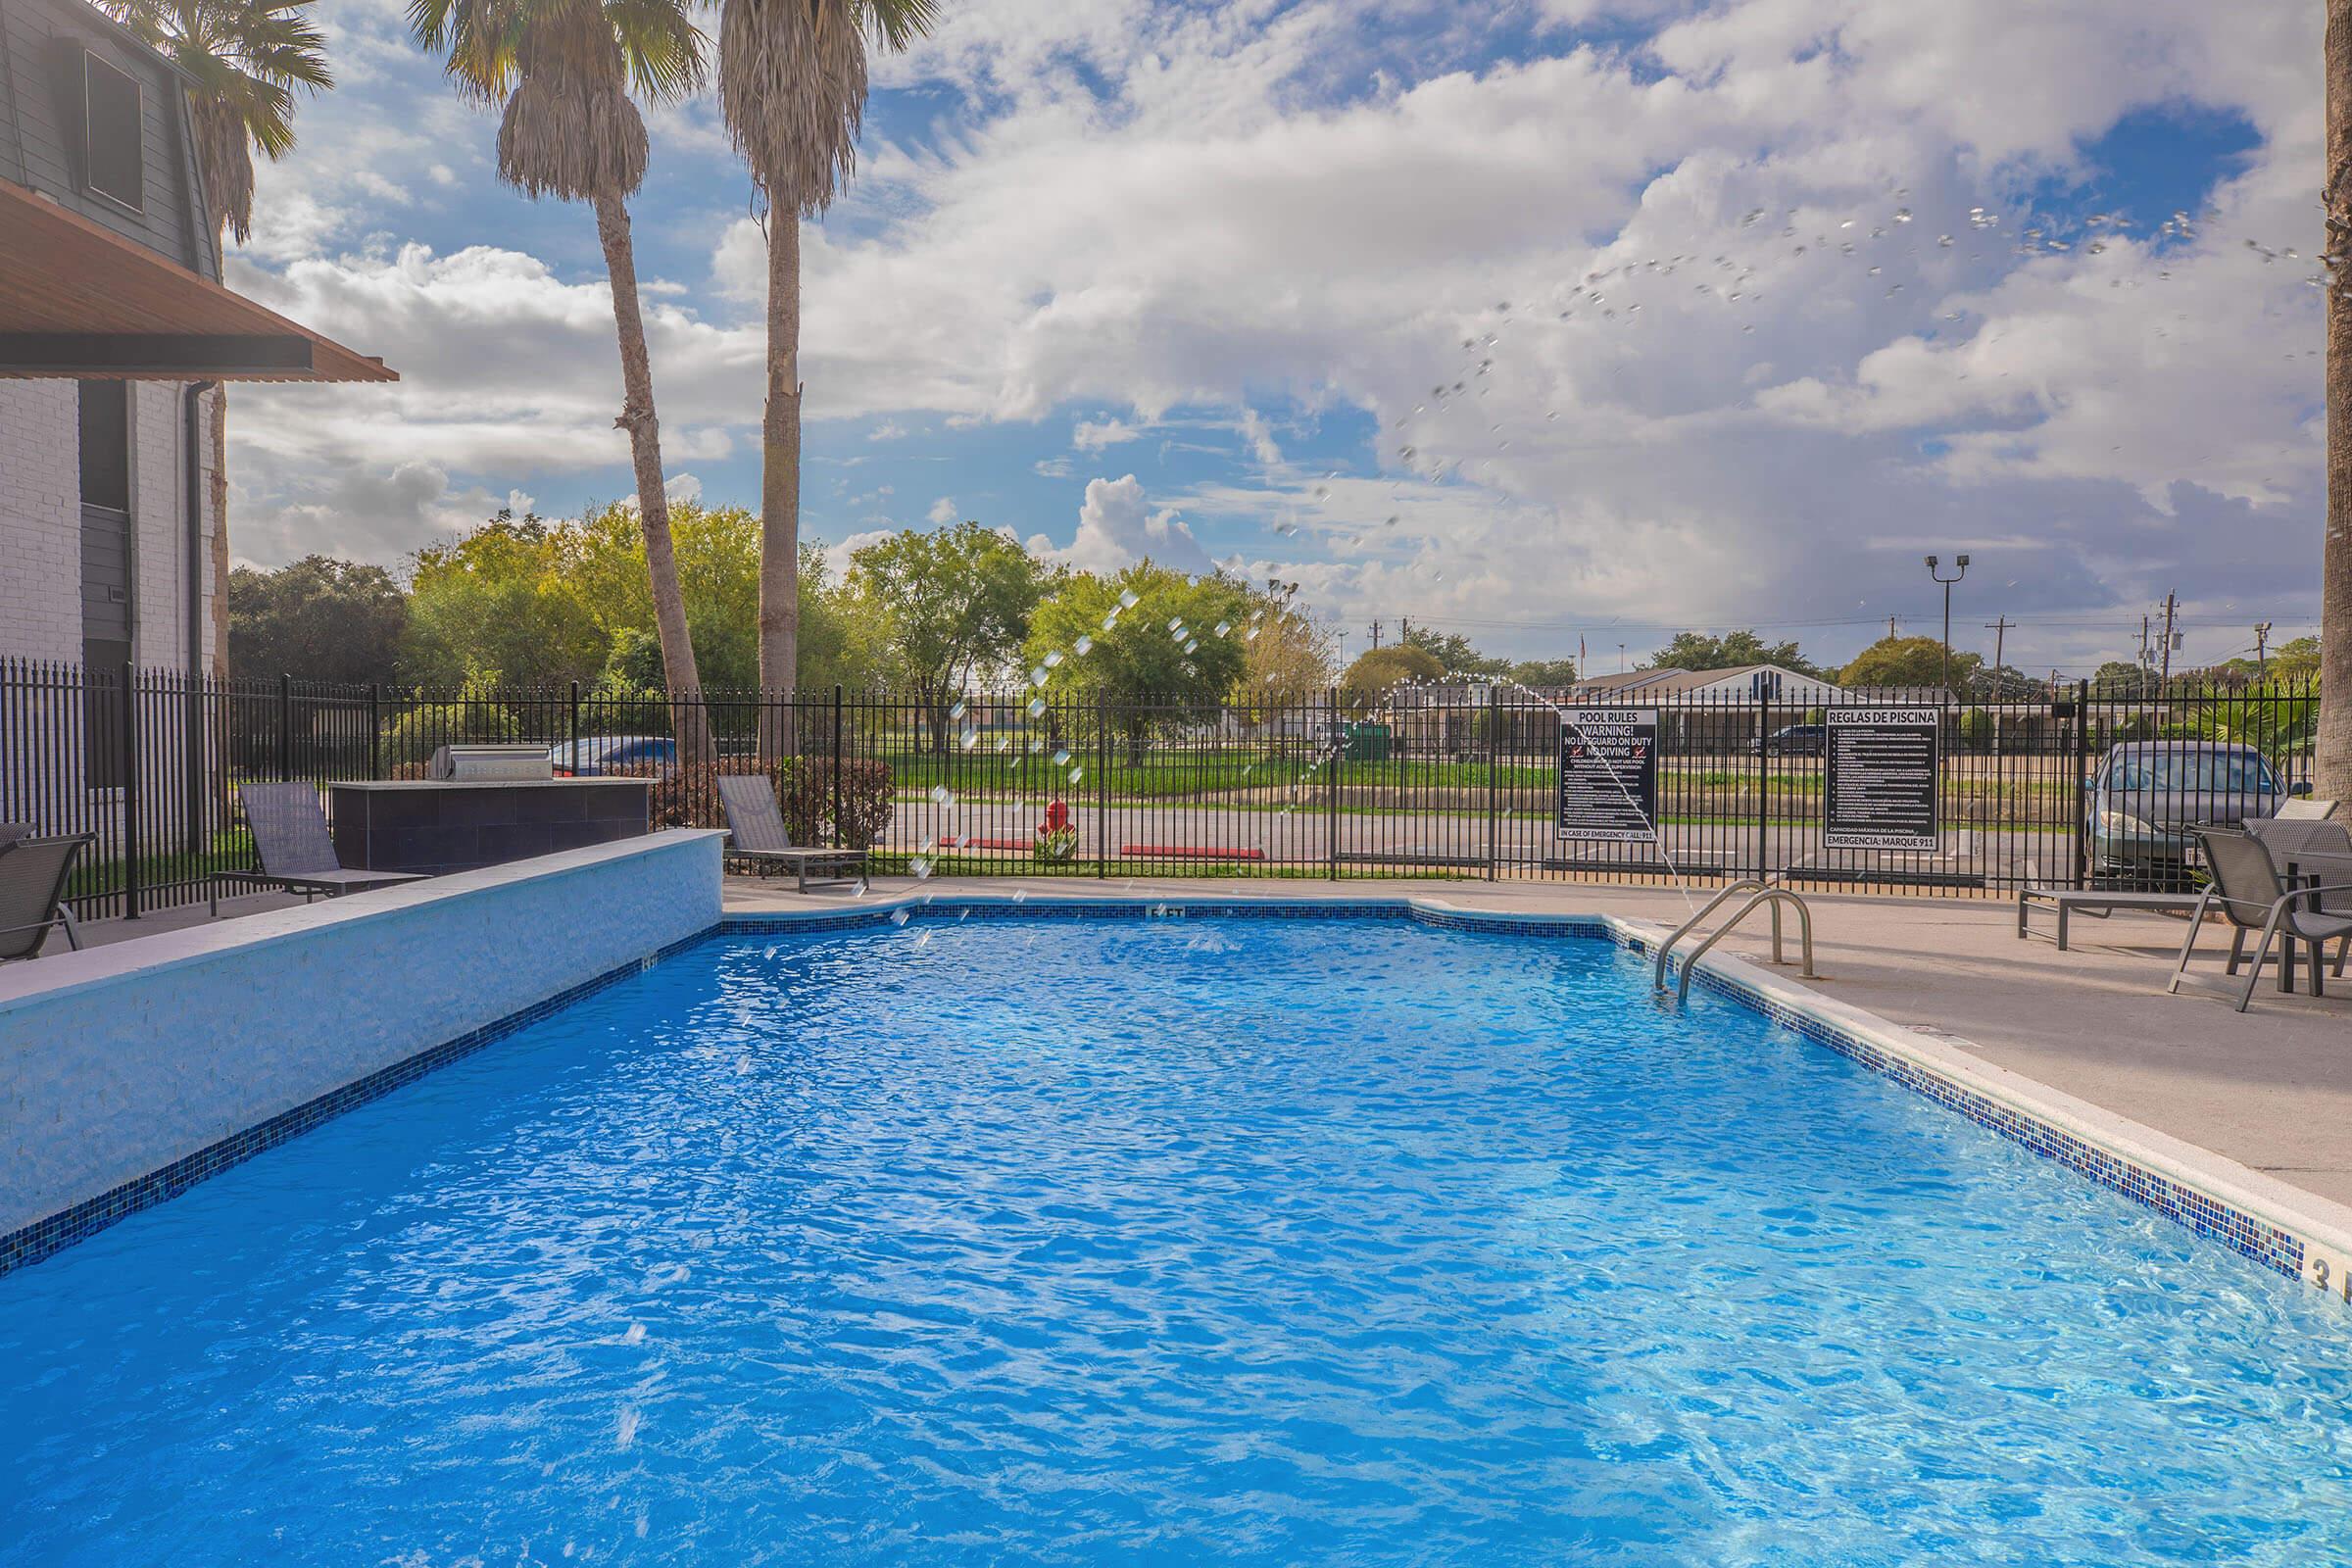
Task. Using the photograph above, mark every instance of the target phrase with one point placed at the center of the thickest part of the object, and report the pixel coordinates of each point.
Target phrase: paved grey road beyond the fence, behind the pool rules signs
(1302, 838)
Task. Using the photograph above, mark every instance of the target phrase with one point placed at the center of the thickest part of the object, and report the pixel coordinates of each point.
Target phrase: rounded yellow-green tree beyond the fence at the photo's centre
(1149, 641)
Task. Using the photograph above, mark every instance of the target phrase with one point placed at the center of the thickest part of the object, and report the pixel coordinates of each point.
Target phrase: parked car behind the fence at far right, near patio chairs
(2146, 796)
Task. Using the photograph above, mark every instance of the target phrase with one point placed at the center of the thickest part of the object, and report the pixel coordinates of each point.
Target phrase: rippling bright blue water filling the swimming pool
(1180, 1242)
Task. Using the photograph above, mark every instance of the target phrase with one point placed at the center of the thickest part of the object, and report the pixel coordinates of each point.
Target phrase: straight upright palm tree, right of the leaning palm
(794, 98)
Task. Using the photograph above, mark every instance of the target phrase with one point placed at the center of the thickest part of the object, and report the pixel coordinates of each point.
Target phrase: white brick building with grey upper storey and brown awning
(114, 337)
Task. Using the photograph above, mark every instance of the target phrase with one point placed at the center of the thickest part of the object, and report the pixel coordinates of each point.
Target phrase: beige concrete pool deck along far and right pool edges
(2269, 1090)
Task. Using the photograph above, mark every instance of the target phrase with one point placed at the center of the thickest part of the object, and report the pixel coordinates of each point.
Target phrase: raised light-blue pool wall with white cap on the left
(121, 1059)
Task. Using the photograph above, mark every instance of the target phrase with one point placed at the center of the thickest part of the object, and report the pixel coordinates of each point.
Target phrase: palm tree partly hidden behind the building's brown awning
(246, 60)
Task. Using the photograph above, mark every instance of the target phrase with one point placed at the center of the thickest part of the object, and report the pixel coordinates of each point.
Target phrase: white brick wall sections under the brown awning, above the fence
(41, 525)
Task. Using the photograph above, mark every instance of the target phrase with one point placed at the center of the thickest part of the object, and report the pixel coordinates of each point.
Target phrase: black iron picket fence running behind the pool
(1417, 784)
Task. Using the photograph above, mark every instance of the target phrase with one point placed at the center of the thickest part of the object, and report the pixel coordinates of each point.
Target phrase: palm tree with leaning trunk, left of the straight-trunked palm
(570, 130)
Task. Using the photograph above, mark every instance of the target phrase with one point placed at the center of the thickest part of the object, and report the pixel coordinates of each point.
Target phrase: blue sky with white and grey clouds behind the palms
(1751, 304)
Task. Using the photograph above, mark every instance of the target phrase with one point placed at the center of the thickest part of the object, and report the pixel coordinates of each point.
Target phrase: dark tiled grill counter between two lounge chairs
(436, 826)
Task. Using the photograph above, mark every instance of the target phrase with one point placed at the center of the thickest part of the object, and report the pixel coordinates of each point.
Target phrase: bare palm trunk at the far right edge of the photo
(2332, 753)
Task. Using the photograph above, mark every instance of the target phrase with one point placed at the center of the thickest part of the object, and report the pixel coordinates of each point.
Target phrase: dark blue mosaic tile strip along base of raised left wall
(91, 1217)
